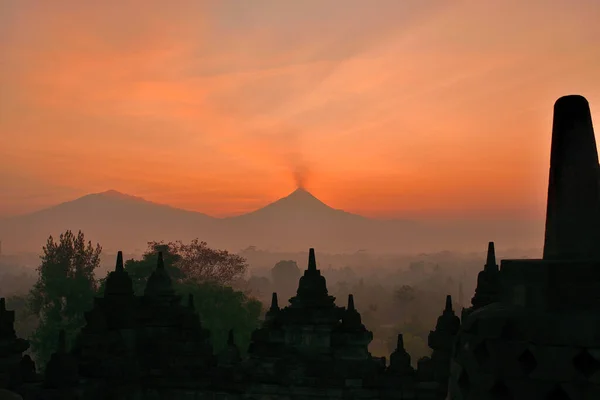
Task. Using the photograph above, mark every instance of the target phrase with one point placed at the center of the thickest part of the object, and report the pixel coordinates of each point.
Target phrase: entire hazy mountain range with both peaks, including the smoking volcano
(292, 223)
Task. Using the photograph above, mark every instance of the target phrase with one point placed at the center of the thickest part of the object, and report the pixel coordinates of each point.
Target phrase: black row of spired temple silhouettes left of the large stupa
(154, 347)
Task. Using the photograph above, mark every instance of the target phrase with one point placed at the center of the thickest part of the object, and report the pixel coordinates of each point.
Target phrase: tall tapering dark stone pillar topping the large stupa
(573, 212)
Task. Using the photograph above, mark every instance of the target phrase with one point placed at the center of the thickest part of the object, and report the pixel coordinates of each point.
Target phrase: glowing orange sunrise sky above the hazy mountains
(411, 108)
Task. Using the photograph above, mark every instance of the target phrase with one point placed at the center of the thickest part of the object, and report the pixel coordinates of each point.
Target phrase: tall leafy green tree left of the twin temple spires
(64, 291)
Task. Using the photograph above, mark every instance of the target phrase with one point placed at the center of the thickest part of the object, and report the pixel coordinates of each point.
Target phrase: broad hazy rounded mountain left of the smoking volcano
(113, 219)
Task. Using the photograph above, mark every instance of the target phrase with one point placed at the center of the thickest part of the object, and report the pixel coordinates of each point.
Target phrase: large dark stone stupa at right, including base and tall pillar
(534, 329)
